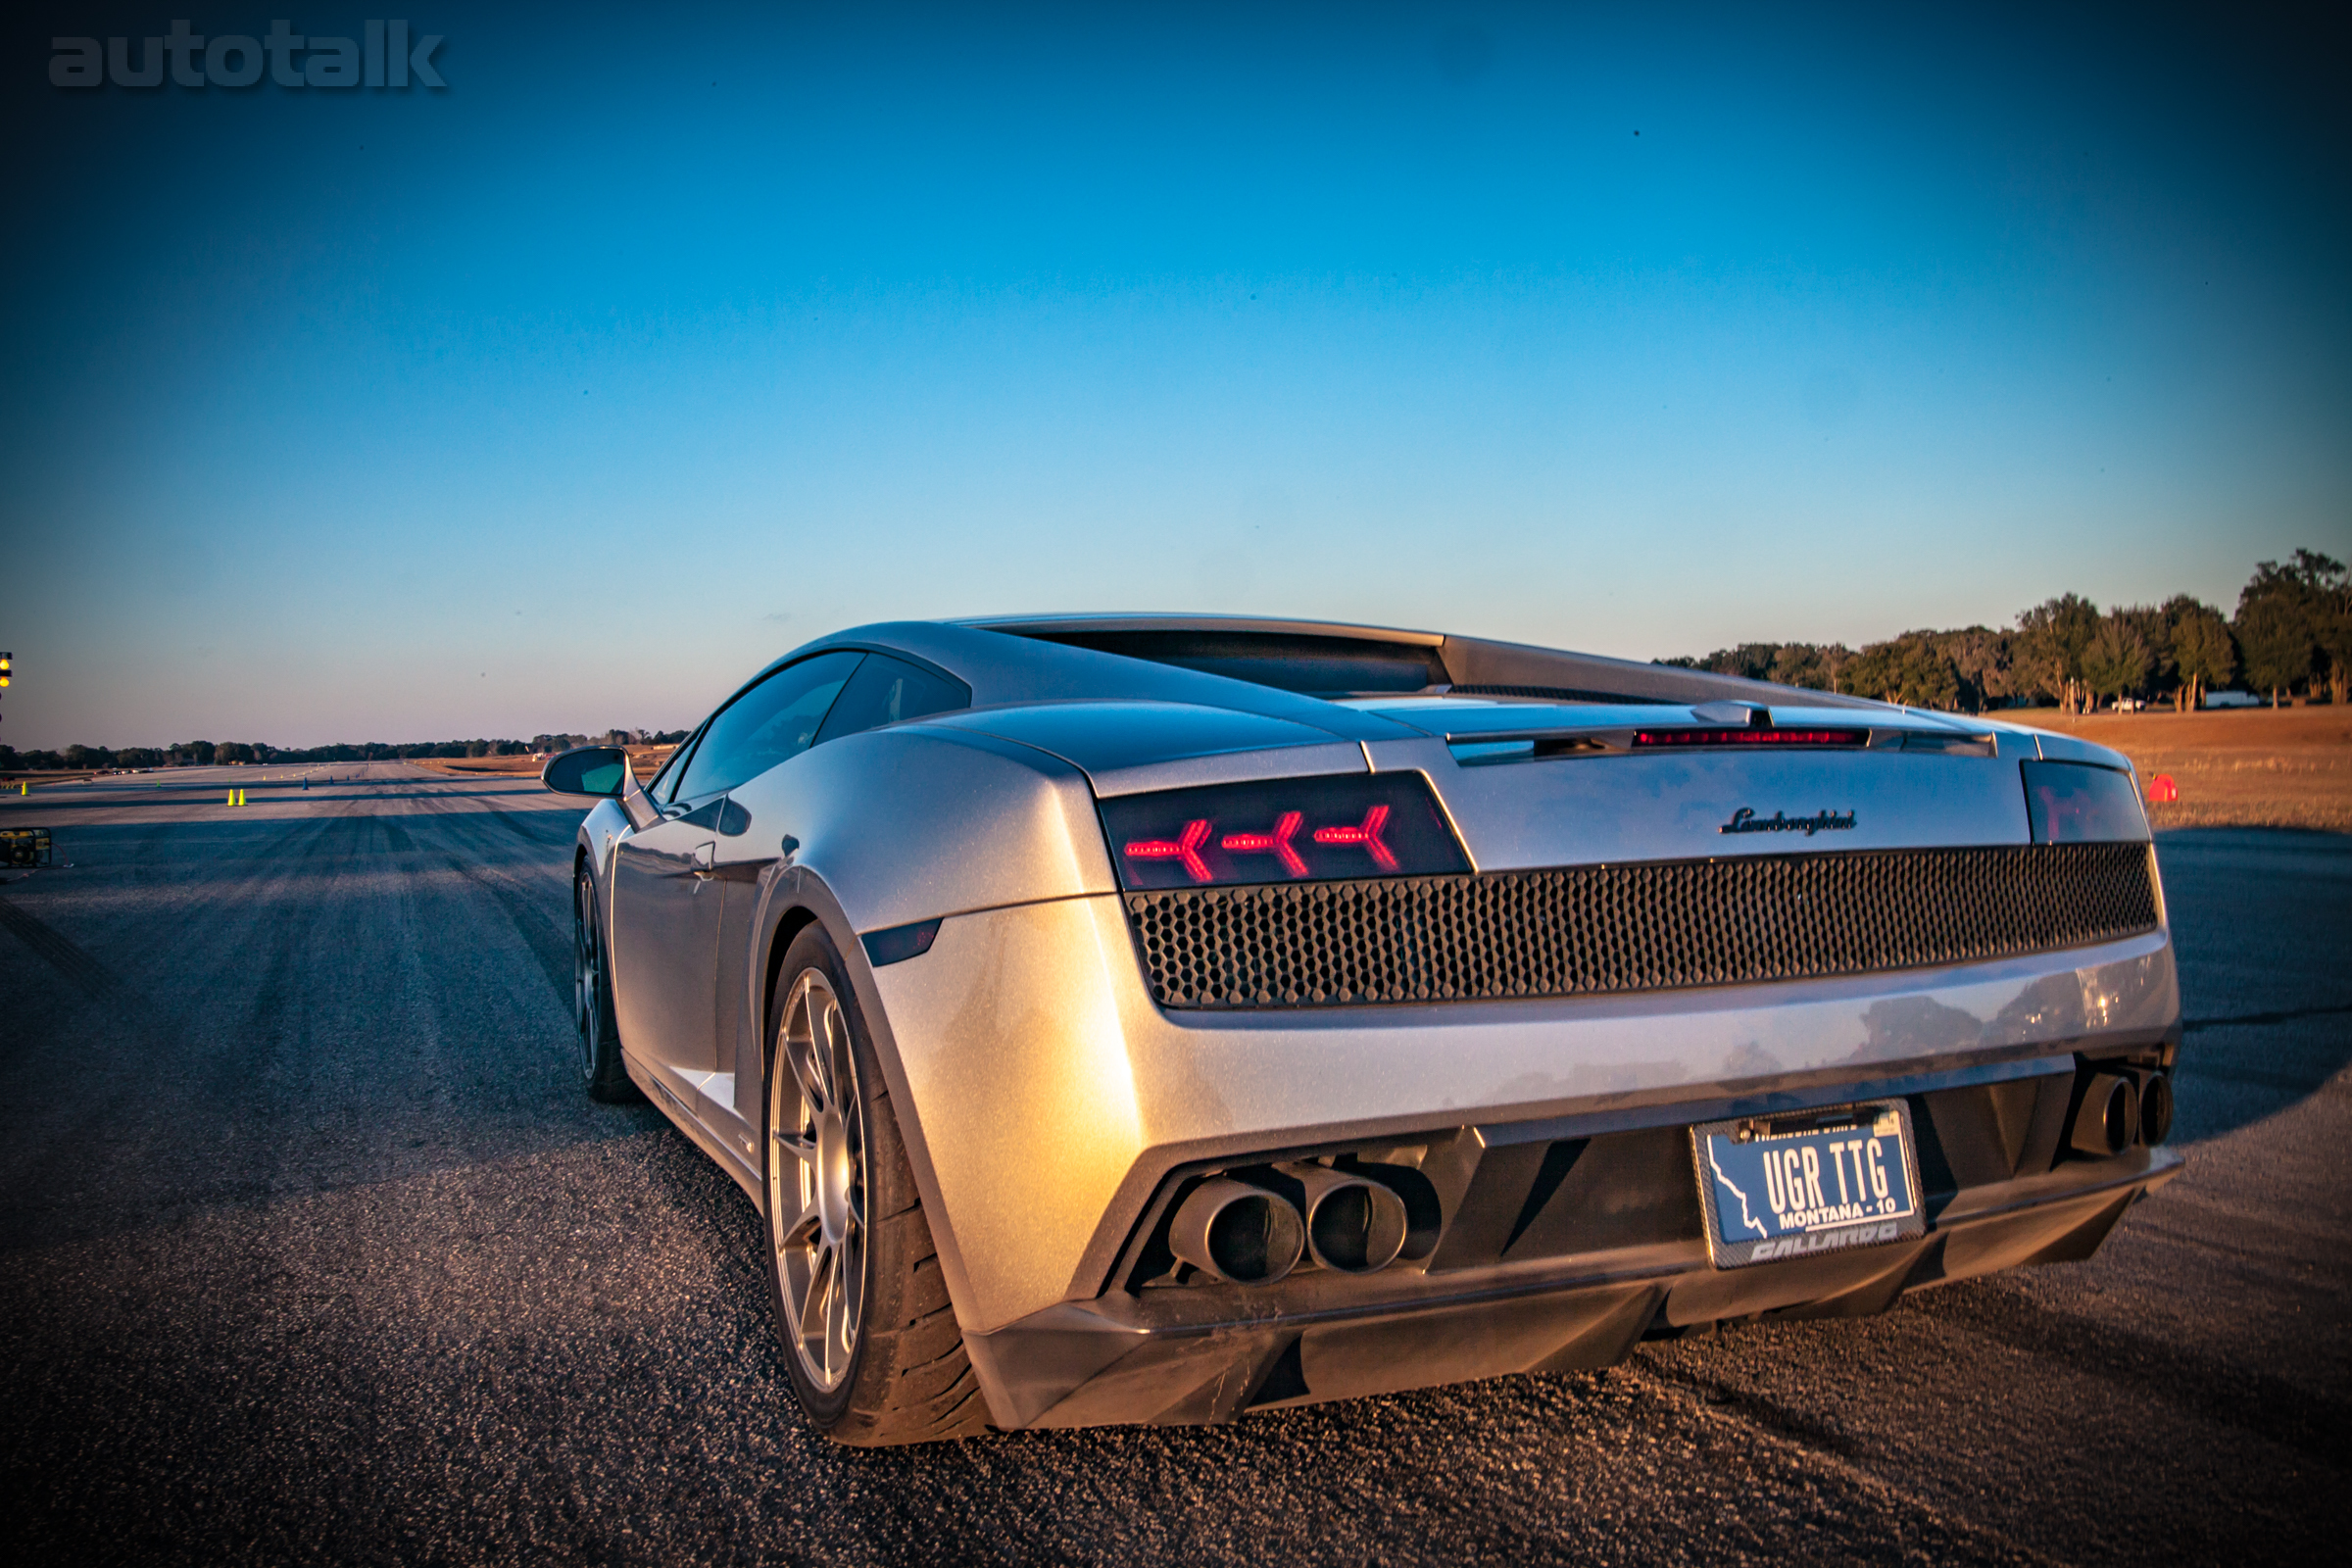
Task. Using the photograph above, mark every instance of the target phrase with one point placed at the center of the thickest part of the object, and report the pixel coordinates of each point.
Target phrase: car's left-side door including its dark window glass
(667, 890)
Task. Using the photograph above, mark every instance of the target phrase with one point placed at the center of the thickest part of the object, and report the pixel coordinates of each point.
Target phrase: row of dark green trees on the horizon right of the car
(2292, 636)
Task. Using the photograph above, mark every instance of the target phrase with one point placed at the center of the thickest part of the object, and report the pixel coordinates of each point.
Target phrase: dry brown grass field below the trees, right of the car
(2236, 768)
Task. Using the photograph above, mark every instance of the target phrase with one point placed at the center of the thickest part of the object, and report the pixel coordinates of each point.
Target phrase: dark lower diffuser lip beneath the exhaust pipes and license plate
(1184, 1358)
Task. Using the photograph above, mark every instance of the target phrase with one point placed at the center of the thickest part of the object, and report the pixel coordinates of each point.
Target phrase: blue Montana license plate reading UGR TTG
(1808, 1184)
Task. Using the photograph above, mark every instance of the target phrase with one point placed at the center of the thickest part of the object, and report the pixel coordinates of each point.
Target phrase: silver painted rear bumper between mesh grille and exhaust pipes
(1048, 1099)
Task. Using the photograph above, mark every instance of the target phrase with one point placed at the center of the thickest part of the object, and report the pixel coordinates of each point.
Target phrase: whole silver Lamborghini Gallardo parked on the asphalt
(1156, 1019)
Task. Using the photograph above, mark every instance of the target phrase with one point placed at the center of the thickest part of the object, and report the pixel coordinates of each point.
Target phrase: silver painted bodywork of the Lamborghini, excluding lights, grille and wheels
(1043, 1094)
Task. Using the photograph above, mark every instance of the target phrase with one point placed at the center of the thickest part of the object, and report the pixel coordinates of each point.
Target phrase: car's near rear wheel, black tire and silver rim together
(902, 1376)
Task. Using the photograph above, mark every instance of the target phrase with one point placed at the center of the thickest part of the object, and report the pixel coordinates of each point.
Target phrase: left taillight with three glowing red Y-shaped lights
(1283, 831)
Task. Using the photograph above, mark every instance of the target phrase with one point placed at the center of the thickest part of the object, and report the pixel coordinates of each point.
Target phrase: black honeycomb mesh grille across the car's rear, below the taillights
(1636, 927)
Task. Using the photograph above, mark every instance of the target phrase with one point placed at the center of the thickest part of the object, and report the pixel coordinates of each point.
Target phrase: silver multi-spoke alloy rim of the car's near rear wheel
(817, 1181)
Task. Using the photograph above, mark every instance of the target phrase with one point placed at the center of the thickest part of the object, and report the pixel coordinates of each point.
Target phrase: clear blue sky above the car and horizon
(655, 347)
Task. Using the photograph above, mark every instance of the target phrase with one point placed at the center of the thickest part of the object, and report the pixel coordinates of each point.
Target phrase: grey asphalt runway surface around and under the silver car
(312, 1252)
